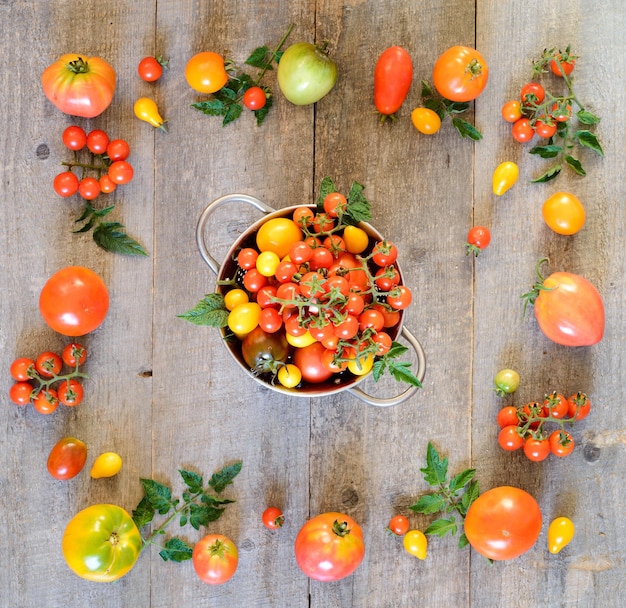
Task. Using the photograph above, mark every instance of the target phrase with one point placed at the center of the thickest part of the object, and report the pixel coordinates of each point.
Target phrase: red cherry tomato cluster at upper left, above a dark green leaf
(107, 161)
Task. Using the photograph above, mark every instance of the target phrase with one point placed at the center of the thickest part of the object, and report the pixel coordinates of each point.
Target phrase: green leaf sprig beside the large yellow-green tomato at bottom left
(199, 507)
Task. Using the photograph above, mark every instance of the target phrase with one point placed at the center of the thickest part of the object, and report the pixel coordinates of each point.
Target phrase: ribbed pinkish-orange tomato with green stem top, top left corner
(79, 85)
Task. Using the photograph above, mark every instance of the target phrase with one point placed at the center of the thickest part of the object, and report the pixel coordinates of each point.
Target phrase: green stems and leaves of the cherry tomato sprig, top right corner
(561, 145)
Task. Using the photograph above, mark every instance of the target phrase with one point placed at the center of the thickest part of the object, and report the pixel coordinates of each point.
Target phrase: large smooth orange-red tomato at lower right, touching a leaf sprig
(503, 523)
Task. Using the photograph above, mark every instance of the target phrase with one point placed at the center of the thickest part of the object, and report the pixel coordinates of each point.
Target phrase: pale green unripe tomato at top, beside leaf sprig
(305, 73)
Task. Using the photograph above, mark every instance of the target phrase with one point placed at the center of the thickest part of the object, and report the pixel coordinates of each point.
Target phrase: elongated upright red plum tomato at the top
(393, 75)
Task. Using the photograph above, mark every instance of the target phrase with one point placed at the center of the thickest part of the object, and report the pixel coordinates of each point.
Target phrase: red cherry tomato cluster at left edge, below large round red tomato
(39, 381)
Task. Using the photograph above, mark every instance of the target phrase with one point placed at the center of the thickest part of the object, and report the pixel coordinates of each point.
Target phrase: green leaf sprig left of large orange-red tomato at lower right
(452, 497)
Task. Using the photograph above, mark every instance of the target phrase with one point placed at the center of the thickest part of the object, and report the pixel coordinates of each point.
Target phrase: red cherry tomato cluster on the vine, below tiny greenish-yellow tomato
(524, 426)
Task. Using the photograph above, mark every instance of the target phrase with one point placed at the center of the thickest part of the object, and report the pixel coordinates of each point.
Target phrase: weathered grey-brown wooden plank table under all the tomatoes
(163, 393)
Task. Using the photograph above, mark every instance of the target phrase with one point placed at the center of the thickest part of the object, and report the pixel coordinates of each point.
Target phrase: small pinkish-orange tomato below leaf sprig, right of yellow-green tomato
(215, 559)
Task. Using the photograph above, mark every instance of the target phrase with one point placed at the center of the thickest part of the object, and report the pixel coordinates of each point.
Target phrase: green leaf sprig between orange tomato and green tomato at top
(227, 102)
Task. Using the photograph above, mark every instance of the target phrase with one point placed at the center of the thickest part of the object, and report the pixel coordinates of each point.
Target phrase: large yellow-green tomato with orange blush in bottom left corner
(101, 543)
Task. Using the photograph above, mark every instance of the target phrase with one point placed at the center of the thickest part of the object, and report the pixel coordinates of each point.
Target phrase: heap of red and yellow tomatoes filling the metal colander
(315, 296)
